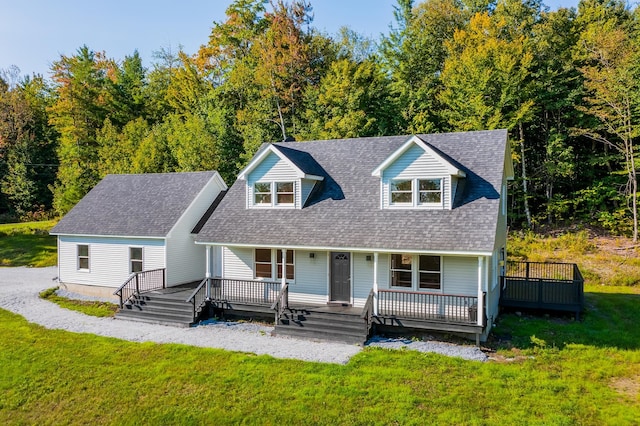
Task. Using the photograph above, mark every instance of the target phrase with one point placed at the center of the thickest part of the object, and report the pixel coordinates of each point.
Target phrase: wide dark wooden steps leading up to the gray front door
(313, 324)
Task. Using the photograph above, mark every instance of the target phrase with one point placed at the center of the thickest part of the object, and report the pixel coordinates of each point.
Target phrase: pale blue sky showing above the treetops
(35, 33)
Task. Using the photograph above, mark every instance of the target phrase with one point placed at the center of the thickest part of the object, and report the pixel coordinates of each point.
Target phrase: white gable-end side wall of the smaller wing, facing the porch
(186, 261)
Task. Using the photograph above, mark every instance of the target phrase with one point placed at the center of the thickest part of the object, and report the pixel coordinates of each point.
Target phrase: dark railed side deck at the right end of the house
(537, 285)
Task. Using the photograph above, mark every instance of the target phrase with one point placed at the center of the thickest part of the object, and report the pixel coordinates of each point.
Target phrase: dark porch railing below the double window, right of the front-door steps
(428, 306)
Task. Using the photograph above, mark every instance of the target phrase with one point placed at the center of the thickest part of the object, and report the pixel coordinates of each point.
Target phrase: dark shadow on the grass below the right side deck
(608, 320)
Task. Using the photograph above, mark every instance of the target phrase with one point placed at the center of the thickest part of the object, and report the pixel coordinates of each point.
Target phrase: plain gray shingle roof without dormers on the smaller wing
(143, 205)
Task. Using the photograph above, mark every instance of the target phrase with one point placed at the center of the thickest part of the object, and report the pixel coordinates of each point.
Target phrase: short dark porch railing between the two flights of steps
(262, 293)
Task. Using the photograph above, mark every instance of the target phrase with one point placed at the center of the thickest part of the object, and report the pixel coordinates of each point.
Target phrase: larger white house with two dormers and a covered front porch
(405, 231)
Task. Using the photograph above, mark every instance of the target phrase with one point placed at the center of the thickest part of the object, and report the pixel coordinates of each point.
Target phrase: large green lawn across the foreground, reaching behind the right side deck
(546, 370)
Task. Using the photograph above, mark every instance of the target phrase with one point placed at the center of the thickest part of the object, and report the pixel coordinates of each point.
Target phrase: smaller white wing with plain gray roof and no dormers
(132, 223)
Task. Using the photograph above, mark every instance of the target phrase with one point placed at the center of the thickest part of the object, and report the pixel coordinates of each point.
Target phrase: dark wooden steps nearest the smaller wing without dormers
(158, 308)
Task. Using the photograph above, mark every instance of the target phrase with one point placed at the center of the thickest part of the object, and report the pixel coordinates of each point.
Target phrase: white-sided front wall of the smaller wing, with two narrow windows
(108, 259)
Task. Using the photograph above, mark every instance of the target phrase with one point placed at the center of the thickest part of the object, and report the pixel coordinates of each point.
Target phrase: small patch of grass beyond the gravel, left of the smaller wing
(28, 244)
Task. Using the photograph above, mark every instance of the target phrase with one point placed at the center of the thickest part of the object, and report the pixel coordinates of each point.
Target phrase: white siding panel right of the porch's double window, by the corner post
(460, 275)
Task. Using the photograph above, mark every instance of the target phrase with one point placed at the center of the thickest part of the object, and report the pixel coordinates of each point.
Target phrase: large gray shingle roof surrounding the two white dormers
(346, 211)
